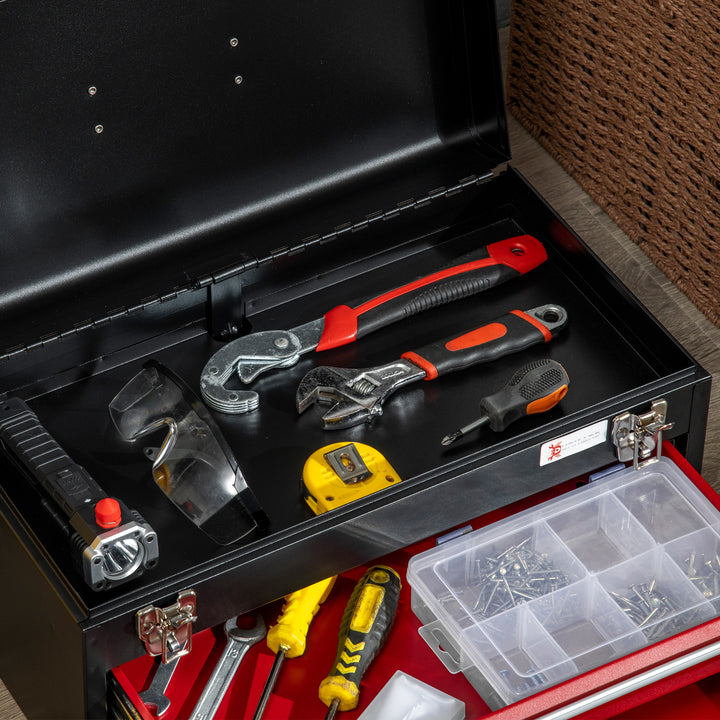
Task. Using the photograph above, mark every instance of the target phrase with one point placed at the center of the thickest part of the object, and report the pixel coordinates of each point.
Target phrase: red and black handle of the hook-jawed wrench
(506, 259)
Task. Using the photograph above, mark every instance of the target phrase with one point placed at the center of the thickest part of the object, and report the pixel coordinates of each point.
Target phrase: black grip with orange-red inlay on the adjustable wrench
(509, 334)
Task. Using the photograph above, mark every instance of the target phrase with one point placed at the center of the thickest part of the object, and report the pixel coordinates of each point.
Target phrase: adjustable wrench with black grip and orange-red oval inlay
(357, 395)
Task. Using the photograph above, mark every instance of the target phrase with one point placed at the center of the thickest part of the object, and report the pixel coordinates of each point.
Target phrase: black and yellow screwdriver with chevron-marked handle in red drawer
(366, 622)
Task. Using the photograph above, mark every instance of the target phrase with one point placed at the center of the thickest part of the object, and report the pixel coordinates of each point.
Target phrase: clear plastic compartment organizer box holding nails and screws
(571, 584)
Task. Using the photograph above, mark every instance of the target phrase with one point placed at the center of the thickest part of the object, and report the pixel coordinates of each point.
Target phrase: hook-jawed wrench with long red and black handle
(259, 352)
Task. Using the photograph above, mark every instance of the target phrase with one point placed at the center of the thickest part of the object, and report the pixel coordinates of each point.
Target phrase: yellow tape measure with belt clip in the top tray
(342, 472)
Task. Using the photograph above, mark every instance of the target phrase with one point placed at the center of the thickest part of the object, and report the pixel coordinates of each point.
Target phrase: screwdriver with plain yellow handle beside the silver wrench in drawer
(287, 638)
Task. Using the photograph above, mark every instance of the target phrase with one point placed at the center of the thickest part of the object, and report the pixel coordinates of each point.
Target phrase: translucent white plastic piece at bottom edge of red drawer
(406, 698)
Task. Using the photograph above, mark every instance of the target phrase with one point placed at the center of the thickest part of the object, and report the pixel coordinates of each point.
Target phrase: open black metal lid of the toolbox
(148, 146)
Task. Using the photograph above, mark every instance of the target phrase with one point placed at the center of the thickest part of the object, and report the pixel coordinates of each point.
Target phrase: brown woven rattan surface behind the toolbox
(626, 96)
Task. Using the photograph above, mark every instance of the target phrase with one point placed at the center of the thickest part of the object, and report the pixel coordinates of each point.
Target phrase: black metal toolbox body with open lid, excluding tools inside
(174, 175)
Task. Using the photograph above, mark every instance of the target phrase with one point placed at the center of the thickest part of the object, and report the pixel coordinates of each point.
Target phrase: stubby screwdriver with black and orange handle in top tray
(536, 388)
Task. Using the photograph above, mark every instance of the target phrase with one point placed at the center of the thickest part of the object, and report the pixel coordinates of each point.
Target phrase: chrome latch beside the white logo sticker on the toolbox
(638, 436)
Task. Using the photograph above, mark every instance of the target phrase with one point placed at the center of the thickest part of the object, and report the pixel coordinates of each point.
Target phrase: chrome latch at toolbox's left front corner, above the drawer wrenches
(168, 631)
